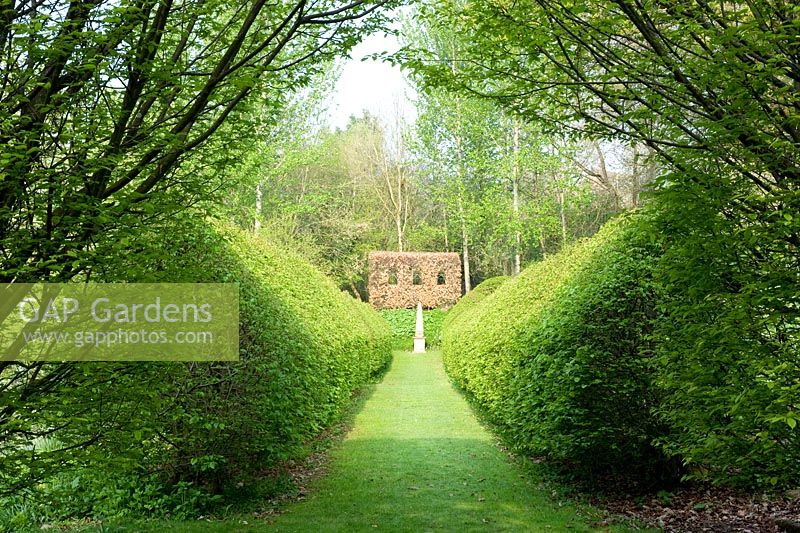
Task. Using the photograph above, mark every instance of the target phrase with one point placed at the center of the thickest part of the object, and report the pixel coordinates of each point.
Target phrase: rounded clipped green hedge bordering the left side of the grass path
(304, 347)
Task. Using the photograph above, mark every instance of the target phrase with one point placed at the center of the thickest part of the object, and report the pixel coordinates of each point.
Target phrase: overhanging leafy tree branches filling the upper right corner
(708, 87)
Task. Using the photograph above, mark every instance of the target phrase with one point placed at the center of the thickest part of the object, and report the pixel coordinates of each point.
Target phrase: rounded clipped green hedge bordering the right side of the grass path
(560, 357)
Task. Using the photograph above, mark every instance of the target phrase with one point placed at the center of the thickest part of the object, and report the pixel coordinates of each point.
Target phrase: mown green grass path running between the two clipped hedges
(416, 460)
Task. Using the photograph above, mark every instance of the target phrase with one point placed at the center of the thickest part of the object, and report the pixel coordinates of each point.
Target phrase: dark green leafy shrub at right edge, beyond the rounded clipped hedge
(730, 365)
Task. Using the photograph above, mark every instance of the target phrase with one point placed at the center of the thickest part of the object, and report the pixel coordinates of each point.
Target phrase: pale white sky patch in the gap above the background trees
(375, 86)
